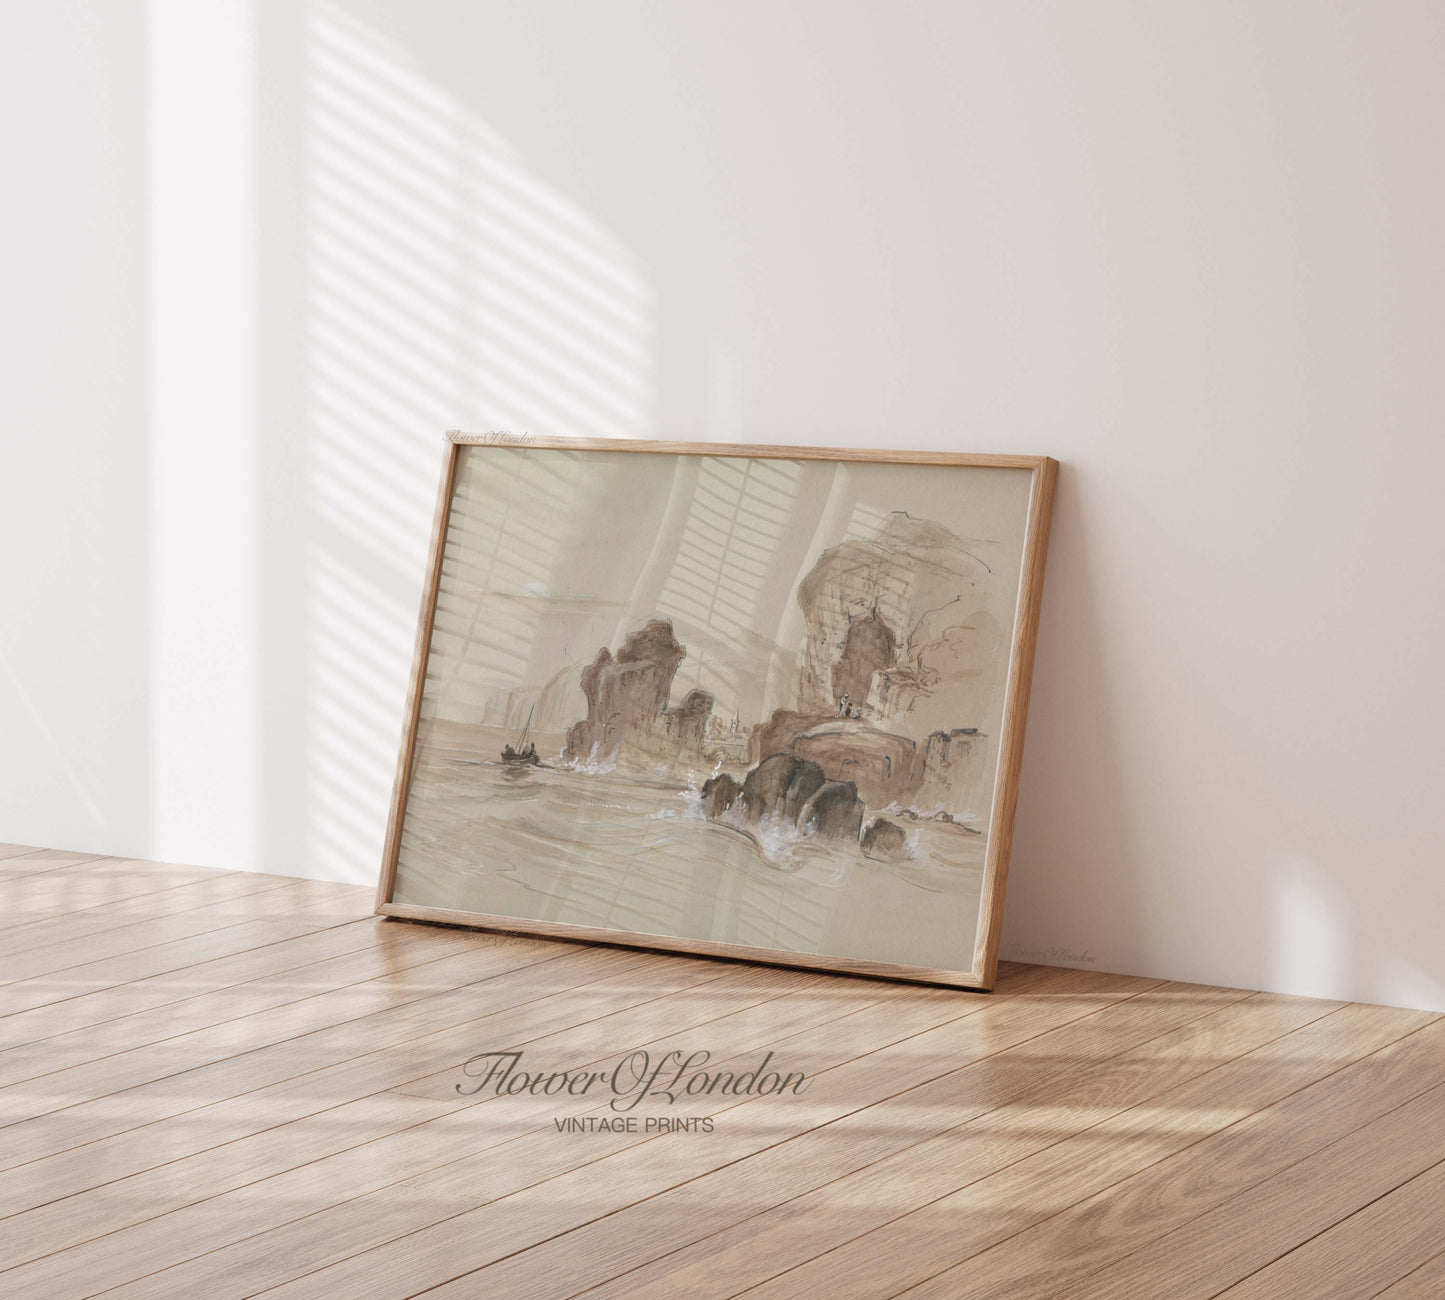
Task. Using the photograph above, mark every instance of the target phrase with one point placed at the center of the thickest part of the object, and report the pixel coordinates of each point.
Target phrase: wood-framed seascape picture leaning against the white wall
(761, 703)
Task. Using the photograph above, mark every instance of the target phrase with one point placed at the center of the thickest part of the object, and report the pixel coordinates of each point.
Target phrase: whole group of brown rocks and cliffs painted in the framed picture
(898, 667)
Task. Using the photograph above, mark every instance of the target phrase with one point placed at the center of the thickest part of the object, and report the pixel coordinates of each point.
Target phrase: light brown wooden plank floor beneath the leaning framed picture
(219, 1085)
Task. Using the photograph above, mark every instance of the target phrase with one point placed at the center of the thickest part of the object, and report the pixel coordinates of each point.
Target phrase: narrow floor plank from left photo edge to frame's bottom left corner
(317, 906)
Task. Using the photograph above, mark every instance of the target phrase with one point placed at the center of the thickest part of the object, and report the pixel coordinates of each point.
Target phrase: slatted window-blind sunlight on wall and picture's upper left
(447, 285)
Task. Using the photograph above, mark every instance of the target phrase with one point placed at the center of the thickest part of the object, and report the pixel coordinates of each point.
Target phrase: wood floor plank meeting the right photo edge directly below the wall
(1047, 1260)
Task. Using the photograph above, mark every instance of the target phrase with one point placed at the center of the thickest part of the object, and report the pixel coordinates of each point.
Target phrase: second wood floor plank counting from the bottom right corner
(1371, 1250)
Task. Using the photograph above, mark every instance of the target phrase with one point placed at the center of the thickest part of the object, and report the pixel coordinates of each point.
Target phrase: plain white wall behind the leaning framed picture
(259, 255)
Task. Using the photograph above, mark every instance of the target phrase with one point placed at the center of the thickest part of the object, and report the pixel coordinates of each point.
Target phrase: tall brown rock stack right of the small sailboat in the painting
(629, 719)
